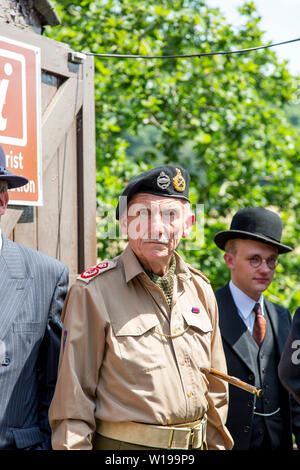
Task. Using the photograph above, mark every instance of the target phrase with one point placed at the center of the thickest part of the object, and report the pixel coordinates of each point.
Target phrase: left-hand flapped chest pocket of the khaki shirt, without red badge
(140, 350)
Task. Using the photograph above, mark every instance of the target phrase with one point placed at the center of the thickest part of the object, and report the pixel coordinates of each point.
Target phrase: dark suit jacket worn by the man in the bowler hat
(239, 362)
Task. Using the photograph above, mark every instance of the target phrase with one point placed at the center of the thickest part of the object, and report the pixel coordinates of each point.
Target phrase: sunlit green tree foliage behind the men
(222, 117)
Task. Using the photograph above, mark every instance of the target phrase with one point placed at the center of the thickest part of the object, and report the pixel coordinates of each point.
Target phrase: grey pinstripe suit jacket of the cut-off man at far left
(33, 288)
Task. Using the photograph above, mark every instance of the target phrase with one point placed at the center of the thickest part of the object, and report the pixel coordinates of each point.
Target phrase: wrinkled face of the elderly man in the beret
(155, 225)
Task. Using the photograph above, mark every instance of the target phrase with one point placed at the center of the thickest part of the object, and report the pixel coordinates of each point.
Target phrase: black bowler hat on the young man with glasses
(254, 223)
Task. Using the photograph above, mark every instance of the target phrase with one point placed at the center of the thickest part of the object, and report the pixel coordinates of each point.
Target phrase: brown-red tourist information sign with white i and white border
(20, 117)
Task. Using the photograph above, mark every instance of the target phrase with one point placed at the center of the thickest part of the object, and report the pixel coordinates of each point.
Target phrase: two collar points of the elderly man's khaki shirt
(133, 267)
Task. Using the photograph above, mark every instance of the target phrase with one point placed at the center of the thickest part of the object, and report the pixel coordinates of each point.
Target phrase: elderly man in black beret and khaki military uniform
(140, 335)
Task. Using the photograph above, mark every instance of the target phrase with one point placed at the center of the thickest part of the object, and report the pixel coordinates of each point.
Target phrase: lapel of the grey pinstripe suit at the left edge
(14, 284)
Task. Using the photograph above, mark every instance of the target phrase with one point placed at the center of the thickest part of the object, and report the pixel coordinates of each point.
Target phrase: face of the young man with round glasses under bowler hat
(252, 281)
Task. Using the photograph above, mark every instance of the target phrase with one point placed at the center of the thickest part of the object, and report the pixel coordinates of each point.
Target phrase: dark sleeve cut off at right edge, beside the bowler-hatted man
(289, 366)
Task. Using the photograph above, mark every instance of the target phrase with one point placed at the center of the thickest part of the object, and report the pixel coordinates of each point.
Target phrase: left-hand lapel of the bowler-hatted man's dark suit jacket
(233, 329)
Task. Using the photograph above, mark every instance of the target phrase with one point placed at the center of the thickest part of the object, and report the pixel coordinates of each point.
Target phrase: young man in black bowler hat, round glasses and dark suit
(254, 331)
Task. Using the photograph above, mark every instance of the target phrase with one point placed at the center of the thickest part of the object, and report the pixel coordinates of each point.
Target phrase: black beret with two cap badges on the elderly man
(168, 181)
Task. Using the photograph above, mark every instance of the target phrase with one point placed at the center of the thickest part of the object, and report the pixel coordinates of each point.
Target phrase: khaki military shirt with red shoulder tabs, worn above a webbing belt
(126, 356)
